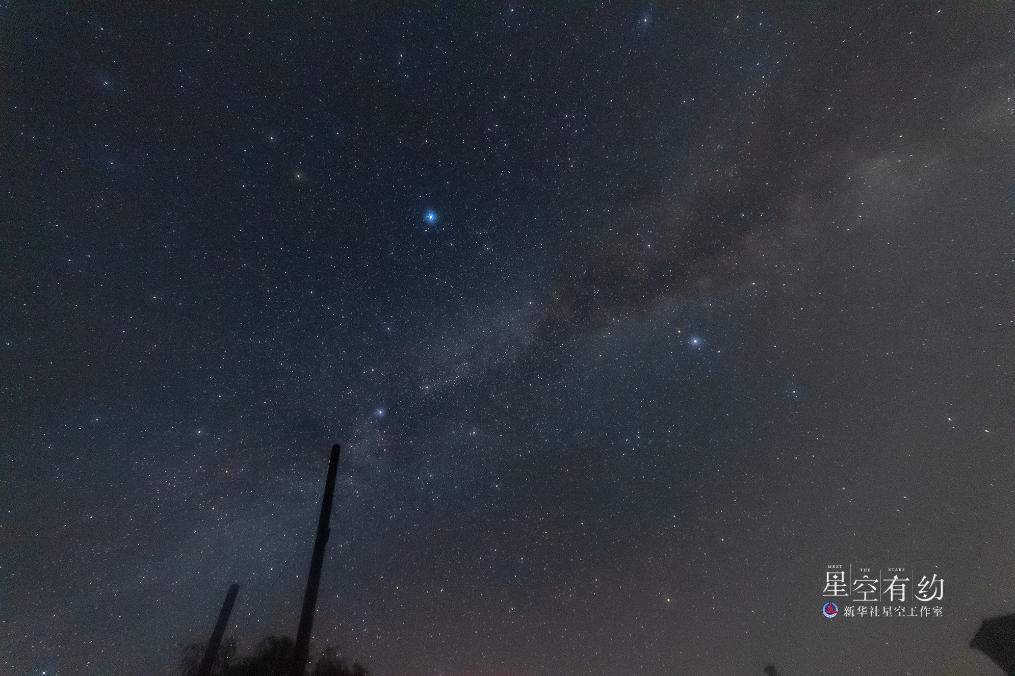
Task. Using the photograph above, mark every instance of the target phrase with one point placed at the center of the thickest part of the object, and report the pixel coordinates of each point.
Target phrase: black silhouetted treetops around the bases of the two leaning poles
(272, 657)
